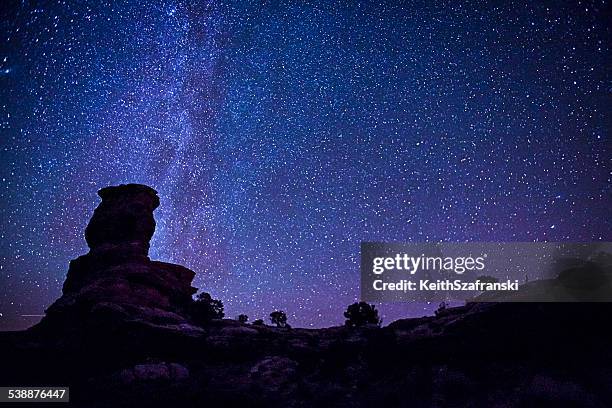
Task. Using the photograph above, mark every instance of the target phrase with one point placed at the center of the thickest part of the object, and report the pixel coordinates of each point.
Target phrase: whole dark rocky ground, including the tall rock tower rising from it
(121, 336)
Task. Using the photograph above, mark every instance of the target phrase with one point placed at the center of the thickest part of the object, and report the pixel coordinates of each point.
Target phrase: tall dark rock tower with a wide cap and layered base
(116, 282)
